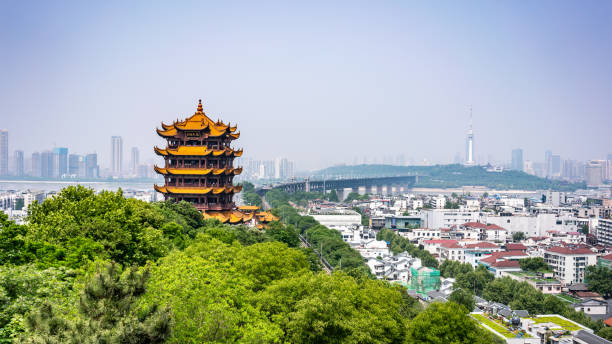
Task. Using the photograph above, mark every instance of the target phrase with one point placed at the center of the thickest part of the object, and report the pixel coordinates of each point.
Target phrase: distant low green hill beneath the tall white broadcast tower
(450, 176)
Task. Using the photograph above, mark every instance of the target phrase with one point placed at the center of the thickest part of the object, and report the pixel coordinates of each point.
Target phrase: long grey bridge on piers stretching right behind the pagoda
(377, 185)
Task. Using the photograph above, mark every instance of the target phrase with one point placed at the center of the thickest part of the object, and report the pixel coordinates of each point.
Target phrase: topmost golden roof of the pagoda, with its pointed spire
(198, 122)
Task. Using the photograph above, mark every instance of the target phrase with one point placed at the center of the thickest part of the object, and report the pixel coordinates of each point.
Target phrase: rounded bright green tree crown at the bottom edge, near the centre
(318, 308)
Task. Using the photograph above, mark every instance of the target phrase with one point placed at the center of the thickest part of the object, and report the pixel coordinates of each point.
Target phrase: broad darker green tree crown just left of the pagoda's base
(109, 225)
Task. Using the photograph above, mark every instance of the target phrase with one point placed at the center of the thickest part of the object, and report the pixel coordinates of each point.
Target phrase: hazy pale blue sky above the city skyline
(316, 82)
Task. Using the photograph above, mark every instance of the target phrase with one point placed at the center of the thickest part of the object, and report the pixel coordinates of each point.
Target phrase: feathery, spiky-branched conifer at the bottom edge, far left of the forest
(105, 314)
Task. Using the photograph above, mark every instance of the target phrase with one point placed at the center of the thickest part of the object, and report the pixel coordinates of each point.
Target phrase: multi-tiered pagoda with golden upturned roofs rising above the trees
(199, 167)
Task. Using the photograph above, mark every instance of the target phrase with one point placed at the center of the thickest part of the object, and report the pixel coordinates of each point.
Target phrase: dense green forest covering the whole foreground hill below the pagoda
(100, 268)
